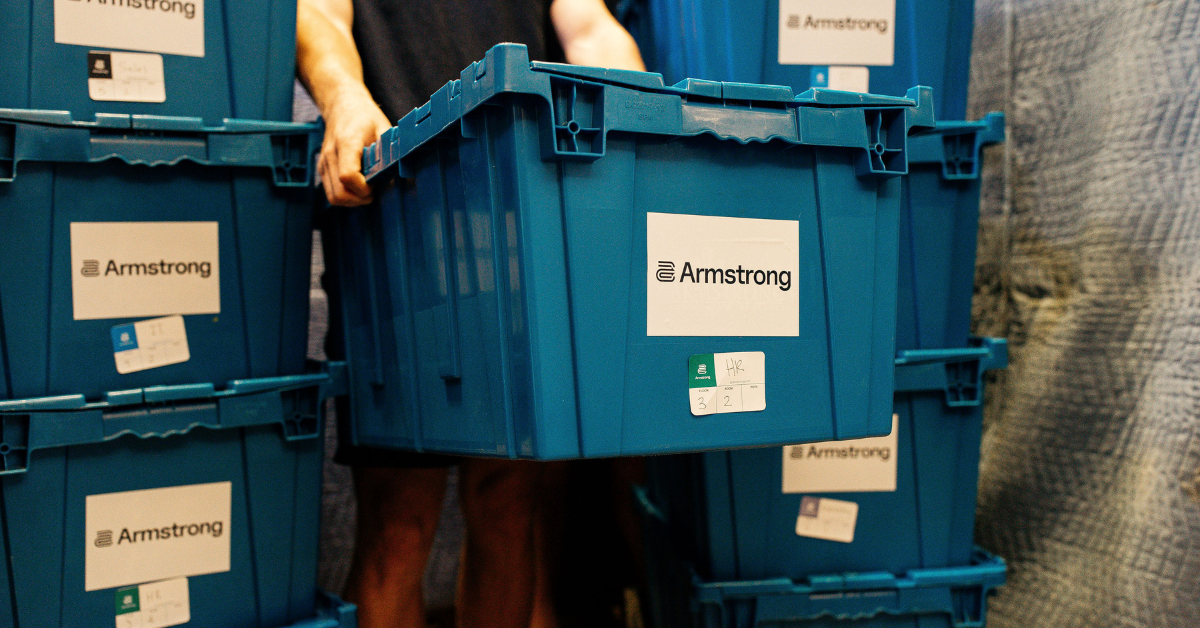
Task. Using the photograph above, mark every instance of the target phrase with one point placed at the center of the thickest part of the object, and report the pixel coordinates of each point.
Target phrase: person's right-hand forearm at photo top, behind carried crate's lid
(590, 35)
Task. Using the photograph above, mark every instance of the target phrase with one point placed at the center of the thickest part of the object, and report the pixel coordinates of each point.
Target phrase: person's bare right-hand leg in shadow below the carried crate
(496, 578)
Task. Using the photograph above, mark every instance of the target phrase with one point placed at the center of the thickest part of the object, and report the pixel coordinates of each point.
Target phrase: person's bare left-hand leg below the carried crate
(399, 513)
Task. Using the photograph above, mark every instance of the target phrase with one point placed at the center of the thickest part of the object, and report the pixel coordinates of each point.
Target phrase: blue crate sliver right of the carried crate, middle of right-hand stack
(938, 234)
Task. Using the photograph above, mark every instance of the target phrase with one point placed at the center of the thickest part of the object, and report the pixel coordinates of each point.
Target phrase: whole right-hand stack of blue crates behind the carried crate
(848, 533)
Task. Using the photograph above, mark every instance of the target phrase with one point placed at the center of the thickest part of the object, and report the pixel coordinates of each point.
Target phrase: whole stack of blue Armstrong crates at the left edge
(160, 452)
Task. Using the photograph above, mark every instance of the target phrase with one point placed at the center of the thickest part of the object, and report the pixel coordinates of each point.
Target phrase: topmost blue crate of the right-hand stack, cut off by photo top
(739, 40)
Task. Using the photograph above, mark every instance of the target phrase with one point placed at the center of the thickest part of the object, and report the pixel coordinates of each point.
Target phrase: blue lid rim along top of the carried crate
(585, 104)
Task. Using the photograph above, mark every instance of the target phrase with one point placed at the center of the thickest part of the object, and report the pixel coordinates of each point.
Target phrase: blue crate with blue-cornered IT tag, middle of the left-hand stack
(107, 225)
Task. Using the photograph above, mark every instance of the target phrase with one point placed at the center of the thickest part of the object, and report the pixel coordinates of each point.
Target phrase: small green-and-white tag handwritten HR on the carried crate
(721, 384)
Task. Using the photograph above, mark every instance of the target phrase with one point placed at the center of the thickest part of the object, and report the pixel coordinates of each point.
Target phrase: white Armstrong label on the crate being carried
(722, 277)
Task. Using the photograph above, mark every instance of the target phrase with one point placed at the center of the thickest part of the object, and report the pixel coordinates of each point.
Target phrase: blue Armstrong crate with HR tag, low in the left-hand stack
(70, 465)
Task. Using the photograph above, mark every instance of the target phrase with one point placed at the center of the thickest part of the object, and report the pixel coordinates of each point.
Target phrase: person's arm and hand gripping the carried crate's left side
(329, 65)
